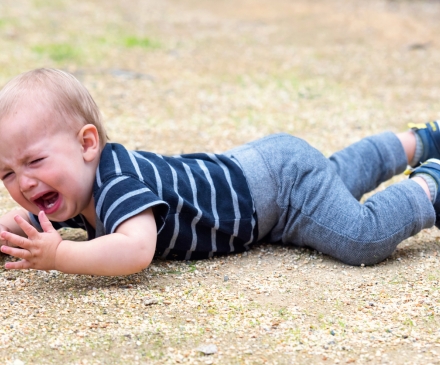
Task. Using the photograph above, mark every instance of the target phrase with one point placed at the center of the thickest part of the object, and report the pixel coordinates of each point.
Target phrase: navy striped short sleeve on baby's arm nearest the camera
(122, 197)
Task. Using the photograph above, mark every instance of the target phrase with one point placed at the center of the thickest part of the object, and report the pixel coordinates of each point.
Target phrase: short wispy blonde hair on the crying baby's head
(60, 90)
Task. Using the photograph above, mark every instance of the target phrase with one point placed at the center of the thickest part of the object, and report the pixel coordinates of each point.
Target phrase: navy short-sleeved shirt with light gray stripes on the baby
(201, 202)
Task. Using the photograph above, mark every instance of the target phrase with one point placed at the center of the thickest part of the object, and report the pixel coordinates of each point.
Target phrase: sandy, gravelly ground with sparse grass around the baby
(204, 75)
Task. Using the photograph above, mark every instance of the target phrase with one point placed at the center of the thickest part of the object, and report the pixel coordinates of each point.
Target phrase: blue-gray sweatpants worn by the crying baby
(304, 199)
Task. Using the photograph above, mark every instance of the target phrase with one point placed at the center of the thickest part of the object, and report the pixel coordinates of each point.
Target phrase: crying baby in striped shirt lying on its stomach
(56, 163)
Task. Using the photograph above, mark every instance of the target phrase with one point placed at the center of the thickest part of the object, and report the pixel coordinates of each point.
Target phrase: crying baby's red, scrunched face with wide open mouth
(42, 164)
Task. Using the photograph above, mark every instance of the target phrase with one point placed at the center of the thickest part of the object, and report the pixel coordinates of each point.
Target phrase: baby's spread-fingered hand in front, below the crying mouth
(38, 251)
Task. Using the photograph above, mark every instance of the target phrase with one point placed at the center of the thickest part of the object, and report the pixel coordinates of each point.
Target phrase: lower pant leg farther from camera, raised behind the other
(366, 164)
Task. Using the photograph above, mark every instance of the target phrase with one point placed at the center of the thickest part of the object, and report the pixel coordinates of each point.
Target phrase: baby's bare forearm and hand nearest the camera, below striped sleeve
(130, 249)
